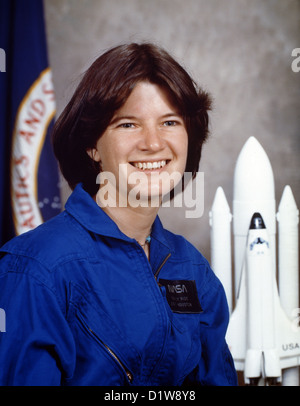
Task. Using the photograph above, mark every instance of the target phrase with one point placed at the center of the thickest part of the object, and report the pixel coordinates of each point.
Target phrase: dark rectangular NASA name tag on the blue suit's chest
(182, 296)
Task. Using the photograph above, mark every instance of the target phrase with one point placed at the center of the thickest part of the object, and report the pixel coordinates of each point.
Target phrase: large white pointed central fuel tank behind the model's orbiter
(253, 191)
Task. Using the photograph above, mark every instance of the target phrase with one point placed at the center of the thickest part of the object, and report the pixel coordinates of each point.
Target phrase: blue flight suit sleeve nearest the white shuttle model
(216, 367)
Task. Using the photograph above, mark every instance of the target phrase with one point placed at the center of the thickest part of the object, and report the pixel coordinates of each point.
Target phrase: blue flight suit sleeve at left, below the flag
(37, 346)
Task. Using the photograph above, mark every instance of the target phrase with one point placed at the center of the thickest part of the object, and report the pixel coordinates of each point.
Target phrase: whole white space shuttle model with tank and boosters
(263, 333)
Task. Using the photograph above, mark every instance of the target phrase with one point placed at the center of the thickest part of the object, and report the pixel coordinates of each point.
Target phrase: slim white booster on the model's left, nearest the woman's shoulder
(220, 235)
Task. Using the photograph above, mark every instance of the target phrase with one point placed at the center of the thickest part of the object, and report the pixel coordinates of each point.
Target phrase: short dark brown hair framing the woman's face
(105, 87)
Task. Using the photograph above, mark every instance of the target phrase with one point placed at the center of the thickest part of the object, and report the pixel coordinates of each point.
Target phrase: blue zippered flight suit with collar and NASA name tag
(84, 306)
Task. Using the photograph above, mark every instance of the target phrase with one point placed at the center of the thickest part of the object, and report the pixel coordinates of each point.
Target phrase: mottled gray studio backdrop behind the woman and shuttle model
(239, 50)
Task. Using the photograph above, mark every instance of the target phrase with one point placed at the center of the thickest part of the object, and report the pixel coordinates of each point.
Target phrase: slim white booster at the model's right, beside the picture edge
(288, 264)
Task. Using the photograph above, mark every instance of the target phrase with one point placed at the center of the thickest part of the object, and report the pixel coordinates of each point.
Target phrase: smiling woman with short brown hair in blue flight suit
(107, 295)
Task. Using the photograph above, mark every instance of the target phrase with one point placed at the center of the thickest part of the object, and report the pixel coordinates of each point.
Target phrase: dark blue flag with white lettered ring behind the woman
(29, 180)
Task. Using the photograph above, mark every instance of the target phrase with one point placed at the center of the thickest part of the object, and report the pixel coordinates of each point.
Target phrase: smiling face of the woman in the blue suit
(145, 144)
